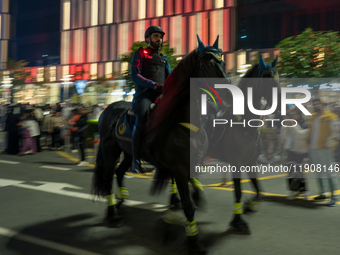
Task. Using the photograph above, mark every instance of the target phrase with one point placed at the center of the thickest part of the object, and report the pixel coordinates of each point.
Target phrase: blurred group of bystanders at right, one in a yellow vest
(312, 140)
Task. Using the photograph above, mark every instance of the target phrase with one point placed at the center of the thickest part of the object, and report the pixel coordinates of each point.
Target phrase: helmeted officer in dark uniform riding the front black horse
(149, 69)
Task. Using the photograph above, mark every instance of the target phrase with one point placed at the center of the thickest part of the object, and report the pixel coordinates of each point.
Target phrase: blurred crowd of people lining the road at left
(26, 127)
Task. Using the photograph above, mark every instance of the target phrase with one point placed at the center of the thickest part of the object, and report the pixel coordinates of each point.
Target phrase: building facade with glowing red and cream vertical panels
(95, 33)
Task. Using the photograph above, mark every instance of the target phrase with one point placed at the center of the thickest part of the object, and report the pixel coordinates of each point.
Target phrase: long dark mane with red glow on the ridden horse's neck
(175, 91)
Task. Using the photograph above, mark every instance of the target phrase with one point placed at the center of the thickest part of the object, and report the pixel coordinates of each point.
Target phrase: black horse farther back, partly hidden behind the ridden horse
(240, 145)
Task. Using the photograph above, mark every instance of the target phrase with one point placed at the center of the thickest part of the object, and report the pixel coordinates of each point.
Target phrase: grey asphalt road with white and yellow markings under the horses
(46, 208)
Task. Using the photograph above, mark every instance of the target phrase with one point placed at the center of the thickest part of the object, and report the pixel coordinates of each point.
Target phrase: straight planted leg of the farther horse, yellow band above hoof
(238, 224)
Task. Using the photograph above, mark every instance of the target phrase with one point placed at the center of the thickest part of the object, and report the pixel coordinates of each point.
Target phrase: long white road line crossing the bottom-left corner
(45, 243)
